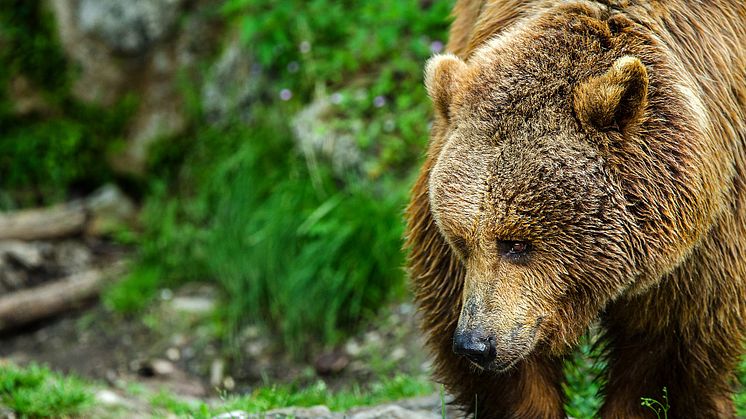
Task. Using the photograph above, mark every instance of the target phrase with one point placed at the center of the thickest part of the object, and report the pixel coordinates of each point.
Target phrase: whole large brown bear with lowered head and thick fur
(587, 163)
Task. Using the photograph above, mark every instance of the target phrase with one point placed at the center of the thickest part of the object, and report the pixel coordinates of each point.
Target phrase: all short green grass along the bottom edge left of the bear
(36, 391)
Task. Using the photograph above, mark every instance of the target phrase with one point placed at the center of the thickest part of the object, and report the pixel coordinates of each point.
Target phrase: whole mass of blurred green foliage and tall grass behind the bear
(235, 204)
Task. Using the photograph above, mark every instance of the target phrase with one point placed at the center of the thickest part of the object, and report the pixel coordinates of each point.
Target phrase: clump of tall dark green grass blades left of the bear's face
(310, 262)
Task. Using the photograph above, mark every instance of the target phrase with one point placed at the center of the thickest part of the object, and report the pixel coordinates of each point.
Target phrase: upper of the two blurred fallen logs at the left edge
(45, 223)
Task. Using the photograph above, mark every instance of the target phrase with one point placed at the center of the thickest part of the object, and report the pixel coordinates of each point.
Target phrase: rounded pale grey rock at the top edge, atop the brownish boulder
(129, 27)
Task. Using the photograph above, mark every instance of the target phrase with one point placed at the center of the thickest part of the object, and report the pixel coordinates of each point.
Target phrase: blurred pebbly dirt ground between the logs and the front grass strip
(175, 345)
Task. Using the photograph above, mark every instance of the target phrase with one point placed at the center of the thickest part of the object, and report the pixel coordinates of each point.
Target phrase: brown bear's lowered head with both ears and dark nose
(552, 184)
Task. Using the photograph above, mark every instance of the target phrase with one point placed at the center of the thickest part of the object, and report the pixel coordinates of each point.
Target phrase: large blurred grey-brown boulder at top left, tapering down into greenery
(141, 47)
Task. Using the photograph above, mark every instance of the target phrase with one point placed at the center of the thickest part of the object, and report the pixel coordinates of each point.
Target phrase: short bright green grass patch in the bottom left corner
(36, 391)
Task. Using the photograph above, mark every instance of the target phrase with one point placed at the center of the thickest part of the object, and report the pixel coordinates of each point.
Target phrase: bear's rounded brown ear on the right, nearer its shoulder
(615, 99)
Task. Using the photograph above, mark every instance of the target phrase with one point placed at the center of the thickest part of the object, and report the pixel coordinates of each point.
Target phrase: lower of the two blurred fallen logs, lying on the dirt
(23, 307)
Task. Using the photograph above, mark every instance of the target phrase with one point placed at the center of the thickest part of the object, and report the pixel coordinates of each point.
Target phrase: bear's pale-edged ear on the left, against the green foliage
(441, 76)
